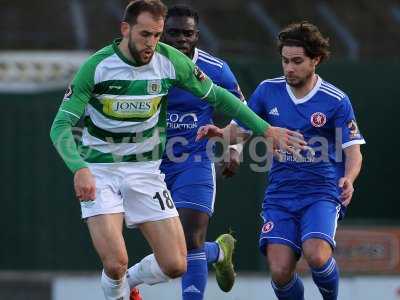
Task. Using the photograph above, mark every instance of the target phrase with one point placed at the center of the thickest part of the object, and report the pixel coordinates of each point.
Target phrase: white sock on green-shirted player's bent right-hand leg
(146, 271)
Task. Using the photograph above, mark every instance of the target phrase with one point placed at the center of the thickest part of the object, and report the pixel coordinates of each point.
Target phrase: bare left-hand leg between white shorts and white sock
(106, 233)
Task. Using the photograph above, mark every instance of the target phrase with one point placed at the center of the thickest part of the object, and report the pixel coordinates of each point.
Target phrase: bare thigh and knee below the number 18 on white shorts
(167, 241)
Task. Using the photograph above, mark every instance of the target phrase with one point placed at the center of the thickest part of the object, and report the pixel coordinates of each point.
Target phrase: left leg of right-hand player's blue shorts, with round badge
(280, 227)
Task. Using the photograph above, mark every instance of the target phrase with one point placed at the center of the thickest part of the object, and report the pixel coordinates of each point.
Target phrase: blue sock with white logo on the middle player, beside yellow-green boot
(195, 279)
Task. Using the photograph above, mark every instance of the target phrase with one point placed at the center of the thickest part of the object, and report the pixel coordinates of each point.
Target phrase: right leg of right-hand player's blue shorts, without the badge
(319, 221)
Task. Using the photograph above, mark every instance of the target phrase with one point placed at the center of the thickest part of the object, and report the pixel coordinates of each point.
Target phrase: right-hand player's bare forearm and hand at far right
(352, 169)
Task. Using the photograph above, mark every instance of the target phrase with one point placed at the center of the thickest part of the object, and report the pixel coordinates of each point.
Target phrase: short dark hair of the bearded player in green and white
(136, 7)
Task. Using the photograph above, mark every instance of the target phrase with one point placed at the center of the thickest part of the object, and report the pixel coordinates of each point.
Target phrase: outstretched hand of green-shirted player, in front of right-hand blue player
(285, 139)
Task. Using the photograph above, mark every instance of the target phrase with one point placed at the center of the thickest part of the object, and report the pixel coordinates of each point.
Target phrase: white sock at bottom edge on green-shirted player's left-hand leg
(115, 289)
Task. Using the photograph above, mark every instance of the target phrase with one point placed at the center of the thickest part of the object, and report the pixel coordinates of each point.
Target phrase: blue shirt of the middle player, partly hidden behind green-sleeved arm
(186, 113)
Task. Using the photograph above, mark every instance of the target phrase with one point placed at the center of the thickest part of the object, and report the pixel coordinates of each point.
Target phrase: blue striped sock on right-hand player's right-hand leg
(327, 279)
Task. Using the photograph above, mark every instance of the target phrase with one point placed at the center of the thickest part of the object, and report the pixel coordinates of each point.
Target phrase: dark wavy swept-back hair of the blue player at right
(306, 35)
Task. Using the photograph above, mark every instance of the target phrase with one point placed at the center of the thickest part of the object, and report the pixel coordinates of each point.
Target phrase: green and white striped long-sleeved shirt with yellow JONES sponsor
(124, 106)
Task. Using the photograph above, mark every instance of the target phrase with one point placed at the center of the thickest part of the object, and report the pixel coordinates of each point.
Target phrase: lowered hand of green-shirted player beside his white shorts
(85, 185)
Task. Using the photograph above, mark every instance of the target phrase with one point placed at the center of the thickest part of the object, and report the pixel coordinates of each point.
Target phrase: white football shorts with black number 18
(136, 189)
